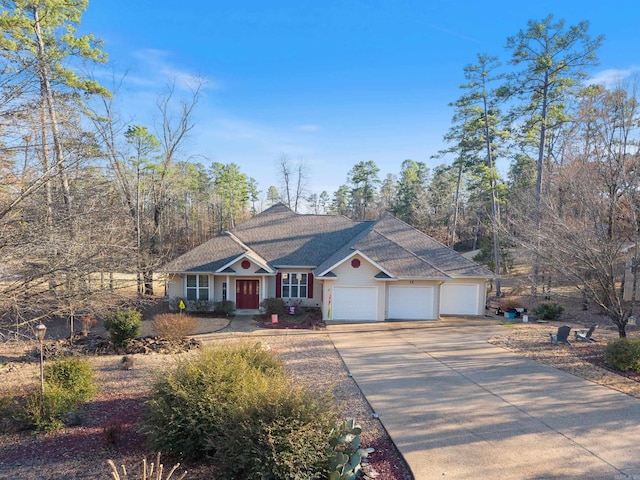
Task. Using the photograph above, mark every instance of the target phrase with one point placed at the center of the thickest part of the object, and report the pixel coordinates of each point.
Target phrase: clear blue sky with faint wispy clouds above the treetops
(331, 82)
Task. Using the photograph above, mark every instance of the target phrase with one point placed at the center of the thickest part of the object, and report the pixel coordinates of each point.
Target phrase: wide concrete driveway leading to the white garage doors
(459, 407)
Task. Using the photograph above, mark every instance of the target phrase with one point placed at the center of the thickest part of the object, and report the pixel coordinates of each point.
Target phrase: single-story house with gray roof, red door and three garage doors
(368, 271)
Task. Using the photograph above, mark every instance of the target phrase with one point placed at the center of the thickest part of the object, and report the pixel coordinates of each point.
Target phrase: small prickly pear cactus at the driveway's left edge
(345, 451)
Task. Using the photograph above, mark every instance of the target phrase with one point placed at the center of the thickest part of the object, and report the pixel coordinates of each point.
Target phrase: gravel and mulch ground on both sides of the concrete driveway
(108, 430)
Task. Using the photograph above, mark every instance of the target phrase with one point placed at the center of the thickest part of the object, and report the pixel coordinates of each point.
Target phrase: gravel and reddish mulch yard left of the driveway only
(109, 421)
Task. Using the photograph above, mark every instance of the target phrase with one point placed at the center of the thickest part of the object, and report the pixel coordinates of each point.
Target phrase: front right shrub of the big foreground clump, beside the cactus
(285, 427)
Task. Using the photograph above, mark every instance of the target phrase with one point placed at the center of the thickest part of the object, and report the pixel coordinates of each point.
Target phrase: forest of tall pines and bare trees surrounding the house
(86, 197)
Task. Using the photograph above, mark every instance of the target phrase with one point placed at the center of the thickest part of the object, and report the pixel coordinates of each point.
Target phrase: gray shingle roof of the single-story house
(284, 238)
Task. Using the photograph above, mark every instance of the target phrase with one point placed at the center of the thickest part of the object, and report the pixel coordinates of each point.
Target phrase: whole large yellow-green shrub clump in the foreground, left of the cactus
(235, 406)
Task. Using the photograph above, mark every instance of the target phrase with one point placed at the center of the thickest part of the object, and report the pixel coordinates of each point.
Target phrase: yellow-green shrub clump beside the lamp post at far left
(68, 382)
